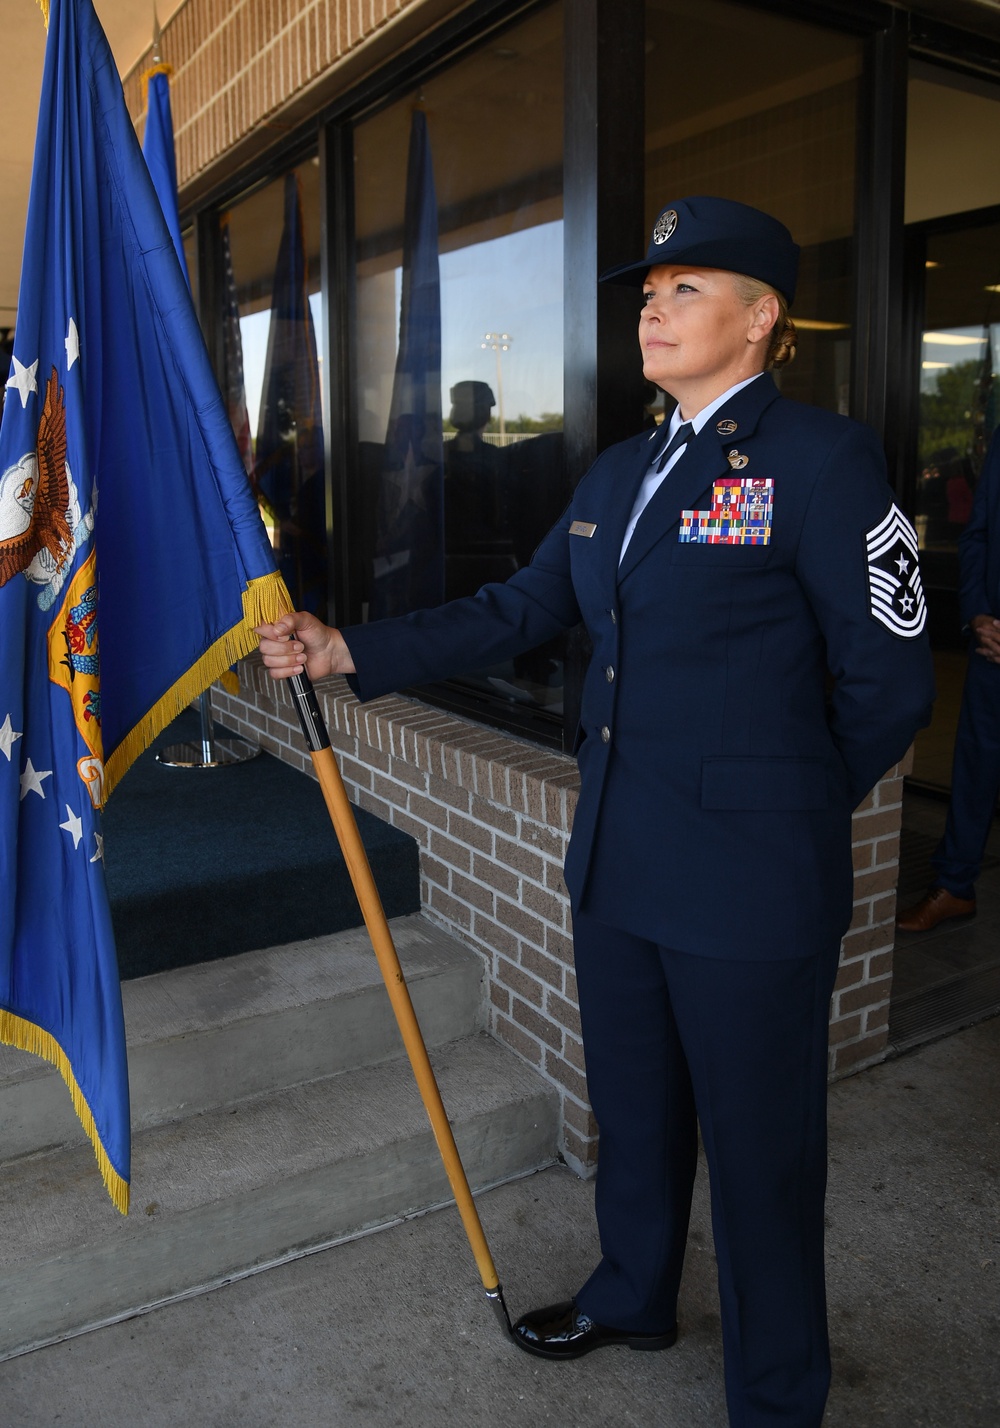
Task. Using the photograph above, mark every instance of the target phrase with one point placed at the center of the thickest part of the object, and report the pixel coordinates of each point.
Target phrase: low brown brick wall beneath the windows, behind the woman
(492, 816)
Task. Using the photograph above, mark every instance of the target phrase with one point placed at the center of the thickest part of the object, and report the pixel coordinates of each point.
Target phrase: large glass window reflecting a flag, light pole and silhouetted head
(459, 339)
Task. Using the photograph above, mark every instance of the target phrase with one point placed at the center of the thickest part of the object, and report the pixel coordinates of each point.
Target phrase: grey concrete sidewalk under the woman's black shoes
(394, 1329)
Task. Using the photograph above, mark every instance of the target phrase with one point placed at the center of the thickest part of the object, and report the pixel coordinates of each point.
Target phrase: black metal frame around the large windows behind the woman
(604, 218)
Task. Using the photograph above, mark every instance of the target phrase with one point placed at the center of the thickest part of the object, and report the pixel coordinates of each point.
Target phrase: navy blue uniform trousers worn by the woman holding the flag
(674, 1040)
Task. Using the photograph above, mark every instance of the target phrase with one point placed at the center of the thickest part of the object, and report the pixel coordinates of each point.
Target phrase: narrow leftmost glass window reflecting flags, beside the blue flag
(272, 309)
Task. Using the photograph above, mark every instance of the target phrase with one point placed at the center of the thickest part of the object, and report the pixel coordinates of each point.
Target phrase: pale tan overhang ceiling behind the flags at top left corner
(129, 28)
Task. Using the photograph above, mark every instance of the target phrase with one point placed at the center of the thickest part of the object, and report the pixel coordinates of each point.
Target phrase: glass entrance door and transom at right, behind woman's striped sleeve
(954, 241)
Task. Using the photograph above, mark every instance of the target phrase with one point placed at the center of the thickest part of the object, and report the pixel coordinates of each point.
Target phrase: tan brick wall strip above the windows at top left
(248, 72)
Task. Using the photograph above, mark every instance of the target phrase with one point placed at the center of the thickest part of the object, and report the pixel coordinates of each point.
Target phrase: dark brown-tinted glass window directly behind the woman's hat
(764, 111)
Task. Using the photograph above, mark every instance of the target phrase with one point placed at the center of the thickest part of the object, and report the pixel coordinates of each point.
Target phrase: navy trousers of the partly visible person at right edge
(975, 780)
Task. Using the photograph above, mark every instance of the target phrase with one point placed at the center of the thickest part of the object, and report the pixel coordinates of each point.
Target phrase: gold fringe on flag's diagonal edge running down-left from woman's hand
(264, 602)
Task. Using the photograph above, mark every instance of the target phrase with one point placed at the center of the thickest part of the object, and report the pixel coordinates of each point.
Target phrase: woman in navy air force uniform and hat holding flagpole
(755, 605)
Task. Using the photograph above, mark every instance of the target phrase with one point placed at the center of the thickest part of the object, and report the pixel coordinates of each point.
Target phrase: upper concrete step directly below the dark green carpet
(221, 1032)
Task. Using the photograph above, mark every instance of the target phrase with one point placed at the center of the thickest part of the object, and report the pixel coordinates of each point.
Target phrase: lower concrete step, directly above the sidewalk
(226, 1192)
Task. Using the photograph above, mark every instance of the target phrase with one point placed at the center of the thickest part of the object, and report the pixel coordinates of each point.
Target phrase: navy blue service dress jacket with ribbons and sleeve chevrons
(742, 699)
